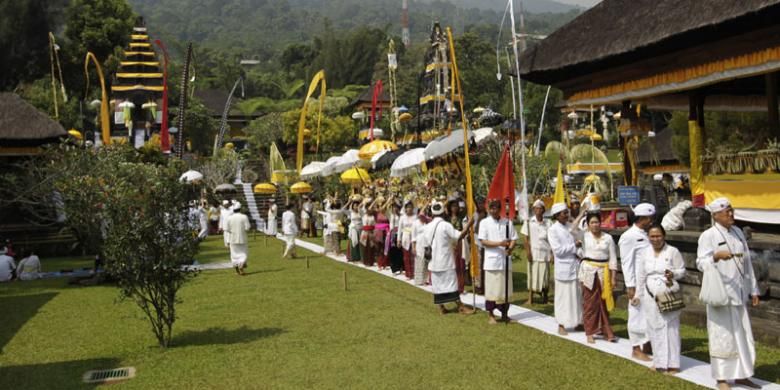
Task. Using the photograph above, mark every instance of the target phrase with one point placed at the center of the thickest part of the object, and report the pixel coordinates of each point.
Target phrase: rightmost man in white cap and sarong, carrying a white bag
(724, 250)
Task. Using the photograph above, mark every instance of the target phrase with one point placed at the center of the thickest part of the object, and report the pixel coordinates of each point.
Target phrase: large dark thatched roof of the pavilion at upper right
(615, 32)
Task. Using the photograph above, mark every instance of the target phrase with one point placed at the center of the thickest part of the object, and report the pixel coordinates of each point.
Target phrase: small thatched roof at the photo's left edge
(20, 121)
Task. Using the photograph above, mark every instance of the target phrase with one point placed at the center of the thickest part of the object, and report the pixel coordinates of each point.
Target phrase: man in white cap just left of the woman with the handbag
(631, 242)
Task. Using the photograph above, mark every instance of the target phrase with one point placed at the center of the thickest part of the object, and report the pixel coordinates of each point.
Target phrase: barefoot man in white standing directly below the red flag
(498, 237)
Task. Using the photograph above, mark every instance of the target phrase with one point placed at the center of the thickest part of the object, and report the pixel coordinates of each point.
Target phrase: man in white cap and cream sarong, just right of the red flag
(538, 251)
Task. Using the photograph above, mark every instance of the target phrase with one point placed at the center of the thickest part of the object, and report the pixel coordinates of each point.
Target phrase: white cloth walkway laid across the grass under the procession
(692, 370)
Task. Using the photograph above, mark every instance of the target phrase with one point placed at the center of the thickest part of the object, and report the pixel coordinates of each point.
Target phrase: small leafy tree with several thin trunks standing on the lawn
(149, 241)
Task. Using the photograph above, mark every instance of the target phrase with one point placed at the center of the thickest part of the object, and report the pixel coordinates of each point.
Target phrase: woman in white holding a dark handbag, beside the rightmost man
(663, 266)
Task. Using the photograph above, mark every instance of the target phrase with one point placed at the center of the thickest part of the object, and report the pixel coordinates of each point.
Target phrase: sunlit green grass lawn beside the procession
(288, 326)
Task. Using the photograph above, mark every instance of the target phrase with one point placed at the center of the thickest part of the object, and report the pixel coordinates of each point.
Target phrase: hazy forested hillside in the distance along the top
(262, 27)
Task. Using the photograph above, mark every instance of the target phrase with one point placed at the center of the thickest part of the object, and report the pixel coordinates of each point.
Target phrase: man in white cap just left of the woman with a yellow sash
(568, 298)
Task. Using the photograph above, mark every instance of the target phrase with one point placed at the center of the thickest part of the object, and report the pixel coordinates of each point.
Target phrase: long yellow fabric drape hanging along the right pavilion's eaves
(682, 75)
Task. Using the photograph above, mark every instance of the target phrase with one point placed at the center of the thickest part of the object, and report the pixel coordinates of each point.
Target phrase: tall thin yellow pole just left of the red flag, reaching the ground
(474, 260)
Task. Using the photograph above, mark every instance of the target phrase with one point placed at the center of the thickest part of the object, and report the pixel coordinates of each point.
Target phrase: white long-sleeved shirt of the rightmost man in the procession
(737, 273)
